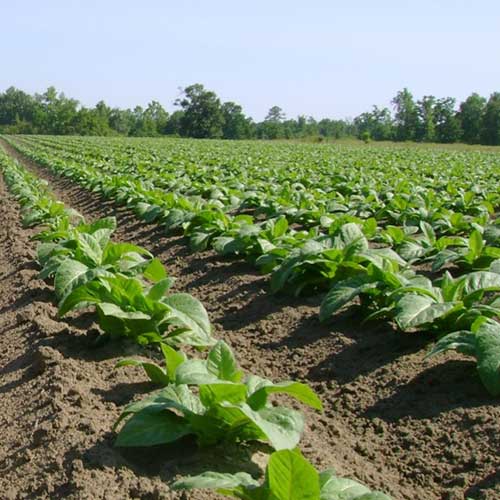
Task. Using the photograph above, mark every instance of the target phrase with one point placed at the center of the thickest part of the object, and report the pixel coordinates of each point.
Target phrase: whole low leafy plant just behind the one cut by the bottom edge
(225, 407)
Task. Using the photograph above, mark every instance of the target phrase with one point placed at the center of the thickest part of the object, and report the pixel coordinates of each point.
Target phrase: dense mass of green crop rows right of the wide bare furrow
(353, 232)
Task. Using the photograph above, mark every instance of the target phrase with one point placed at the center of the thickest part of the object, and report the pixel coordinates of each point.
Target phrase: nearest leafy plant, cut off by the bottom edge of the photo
(289, 476)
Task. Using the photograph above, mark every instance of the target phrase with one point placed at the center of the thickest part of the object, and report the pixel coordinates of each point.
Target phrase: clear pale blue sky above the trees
(314, 57)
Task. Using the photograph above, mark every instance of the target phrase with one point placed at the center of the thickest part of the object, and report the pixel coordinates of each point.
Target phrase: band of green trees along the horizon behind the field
(201, 114)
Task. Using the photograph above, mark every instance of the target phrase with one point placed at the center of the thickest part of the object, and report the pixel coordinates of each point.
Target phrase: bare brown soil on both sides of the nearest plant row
(414, 429)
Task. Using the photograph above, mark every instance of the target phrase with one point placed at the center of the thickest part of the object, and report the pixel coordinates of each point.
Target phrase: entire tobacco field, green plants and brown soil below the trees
(265, 320)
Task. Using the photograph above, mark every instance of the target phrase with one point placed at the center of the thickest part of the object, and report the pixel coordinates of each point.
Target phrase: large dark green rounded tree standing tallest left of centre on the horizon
(203, 116)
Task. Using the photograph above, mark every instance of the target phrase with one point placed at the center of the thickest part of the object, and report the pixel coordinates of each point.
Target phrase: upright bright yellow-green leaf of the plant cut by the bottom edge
(290, 476)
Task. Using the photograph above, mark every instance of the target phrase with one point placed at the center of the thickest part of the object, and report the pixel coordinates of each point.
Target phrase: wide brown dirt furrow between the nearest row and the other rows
(414, 430)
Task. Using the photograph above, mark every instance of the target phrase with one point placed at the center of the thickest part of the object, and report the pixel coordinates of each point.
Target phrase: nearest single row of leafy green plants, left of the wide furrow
(207, 397)
